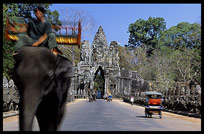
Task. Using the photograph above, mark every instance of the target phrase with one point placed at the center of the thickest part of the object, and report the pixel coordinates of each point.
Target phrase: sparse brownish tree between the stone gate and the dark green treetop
(136, 60)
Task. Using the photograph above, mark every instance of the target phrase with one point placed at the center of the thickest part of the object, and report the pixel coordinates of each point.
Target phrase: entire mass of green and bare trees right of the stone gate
(164, 55)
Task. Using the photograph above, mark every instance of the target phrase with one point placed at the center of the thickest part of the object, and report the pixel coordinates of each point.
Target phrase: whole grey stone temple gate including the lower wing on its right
(105, 58)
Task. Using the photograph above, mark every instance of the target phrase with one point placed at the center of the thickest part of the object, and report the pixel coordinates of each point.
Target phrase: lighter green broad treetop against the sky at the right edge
(181, 36)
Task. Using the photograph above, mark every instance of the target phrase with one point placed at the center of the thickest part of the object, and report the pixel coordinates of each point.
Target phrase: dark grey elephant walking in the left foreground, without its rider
(43, 80)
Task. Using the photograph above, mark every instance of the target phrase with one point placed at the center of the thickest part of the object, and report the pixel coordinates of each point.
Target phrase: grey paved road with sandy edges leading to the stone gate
(101, 115)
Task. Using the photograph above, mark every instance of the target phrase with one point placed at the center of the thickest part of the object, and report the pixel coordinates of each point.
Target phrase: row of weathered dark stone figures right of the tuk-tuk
(183, 97)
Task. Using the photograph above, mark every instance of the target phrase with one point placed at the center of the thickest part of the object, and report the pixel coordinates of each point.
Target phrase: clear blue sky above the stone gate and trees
(115, 18)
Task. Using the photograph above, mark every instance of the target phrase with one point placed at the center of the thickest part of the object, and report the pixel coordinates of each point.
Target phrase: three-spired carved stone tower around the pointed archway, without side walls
(97, 57)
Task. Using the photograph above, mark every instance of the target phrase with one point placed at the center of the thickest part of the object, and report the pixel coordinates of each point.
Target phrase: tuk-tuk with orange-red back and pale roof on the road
(153, 103)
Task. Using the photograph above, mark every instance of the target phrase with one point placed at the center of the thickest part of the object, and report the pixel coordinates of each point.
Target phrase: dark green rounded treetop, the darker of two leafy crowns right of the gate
(146, 32)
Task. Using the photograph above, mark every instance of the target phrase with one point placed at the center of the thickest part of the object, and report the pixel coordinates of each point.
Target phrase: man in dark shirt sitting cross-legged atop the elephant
(38, 33)
